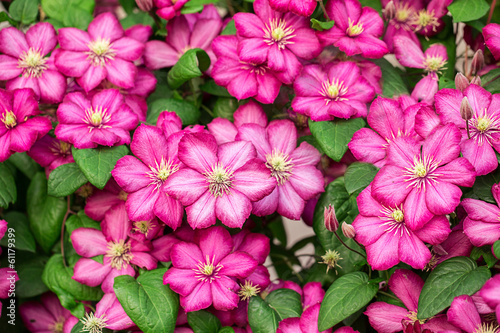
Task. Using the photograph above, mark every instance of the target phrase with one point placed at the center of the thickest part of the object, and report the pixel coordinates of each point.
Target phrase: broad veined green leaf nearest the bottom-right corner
(453, 277)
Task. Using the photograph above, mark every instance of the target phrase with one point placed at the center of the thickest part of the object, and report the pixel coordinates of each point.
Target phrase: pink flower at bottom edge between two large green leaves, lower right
(389, 318)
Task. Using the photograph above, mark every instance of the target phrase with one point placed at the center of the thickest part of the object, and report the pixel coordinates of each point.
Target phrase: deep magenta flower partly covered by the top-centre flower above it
(243, 79)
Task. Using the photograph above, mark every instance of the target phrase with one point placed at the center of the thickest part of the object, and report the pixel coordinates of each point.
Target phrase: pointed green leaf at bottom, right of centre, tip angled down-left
(346, 296)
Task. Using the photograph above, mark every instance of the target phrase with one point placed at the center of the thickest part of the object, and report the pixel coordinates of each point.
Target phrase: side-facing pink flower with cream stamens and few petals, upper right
(409, 54)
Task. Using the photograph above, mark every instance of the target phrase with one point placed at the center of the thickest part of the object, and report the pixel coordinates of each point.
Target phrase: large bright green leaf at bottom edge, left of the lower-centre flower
(150, 304)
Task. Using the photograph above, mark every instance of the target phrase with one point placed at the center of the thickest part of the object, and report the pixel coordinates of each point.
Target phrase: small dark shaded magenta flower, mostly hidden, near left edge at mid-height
(51, 153)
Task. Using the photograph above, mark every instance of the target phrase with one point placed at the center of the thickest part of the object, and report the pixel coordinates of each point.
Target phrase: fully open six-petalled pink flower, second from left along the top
(102, 53)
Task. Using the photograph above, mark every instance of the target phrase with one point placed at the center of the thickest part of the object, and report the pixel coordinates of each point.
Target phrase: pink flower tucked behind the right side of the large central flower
(297, 178)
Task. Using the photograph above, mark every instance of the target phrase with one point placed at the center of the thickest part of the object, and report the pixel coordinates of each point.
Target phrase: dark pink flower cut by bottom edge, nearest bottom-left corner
(47, 316)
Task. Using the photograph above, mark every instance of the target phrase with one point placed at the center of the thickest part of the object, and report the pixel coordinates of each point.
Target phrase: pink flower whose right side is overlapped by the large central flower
(145, 177)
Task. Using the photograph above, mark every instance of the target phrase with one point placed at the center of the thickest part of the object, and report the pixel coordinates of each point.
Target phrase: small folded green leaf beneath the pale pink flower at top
(192, 64)
